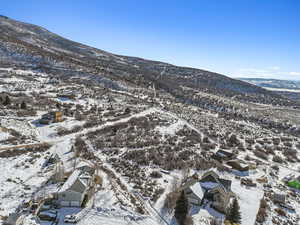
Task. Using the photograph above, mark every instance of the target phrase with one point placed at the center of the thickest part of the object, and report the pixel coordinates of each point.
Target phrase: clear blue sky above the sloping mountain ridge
(238, 38)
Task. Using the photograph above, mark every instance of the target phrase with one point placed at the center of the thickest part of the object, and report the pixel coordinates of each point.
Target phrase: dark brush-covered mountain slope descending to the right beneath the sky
(30, 46)
